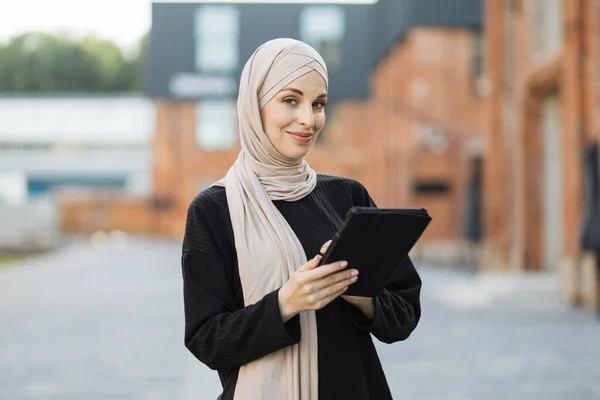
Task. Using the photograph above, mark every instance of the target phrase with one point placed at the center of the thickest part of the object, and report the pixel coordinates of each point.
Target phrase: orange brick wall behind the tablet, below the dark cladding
(426, 82)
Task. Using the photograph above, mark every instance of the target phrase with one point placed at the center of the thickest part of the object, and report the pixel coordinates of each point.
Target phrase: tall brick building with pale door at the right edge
(543, 66)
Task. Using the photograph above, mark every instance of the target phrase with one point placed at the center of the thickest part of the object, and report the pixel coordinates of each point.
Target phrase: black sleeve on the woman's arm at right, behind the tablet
(398, 307)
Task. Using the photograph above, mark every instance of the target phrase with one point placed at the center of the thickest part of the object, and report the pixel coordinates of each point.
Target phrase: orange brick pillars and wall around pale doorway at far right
(514, 188)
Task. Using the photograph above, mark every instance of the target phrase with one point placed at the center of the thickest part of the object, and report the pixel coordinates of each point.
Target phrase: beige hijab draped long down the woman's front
(267, 248)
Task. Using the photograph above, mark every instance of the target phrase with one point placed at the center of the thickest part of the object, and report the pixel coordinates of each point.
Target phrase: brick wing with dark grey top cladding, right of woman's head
(427, 118)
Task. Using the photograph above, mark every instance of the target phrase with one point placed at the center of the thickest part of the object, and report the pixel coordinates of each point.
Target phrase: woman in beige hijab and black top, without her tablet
(271, 323)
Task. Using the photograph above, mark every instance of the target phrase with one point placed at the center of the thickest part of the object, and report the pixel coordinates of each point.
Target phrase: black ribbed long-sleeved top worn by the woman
(223, 334)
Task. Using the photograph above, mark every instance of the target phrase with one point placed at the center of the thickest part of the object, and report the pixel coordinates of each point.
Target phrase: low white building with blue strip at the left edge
(75, 146)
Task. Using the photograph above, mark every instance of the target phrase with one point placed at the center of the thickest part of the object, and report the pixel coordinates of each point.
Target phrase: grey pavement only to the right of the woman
(497, 337)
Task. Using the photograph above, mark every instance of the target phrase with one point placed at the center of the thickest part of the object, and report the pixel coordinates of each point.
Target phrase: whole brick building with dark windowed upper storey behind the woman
(404, 113)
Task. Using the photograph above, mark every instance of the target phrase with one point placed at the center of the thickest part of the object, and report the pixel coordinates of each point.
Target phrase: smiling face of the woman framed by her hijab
(294, 117)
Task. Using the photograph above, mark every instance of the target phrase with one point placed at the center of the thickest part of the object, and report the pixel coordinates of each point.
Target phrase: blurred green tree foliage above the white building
(41, 62)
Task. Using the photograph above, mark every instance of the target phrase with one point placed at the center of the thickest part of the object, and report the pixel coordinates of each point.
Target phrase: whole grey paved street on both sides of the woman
(106, 323)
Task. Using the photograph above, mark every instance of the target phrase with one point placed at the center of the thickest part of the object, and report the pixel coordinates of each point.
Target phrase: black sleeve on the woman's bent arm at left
(219, 330)
